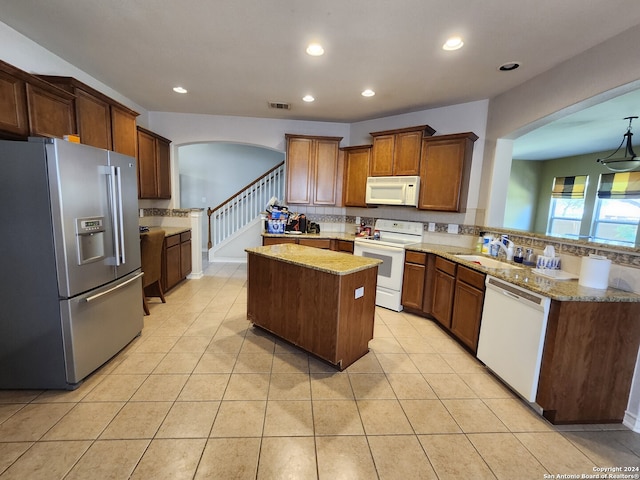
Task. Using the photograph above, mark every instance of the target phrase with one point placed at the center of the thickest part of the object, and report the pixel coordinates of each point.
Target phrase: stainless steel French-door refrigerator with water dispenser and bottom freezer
(70, 289)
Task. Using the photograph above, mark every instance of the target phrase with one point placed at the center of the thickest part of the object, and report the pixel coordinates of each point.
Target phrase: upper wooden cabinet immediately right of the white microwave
(444, 171)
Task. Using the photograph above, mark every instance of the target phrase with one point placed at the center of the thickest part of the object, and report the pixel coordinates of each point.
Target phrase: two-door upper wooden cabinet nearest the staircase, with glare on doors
(313, 173)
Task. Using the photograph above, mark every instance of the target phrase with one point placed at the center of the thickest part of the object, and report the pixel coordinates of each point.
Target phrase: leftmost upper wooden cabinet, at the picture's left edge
(30, 106)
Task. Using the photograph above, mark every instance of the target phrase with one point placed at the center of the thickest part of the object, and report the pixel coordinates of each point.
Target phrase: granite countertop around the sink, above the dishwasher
(563, 290)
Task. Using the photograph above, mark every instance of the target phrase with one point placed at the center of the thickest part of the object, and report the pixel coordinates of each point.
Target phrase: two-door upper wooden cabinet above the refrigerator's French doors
(100, 121)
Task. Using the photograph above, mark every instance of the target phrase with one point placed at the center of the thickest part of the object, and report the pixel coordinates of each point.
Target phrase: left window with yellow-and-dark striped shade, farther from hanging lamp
(567, 206)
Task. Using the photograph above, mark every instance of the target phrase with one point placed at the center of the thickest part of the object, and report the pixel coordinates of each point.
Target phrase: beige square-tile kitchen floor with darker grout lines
(201, 394)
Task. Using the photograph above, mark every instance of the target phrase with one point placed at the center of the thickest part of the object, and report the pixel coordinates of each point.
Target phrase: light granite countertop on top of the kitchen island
(335, 263)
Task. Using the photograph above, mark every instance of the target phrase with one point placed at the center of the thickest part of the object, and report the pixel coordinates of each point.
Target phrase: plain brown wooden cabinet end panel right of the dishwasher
(588, 362)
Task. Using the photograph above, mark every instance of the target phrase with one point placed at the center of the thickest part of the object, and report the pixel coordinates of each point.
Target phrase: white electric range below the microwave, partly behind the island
(394, 237)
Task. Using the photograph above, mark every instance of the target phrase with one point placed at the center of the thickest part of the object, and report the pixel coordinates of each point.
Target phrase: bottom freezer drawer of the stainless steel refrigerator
(99, 324)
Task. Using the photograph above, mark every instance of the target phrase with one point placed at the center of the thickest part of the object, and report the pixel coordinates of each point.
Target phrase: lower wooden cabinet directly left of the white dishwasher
(468, 299)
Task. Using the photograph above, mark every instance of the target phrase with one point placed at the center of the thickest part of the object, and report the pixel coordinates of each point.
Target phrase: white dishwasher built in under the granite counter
(514, 324)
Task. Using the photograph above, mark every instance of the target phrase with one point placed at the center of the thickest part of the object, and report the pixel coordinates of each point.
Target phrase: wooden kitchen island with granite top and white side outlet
(318, 300)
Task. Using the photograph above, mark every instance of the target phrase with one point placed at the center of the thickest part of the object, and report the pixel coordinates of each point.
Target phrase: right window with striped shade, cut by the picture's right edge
(617, 210)
